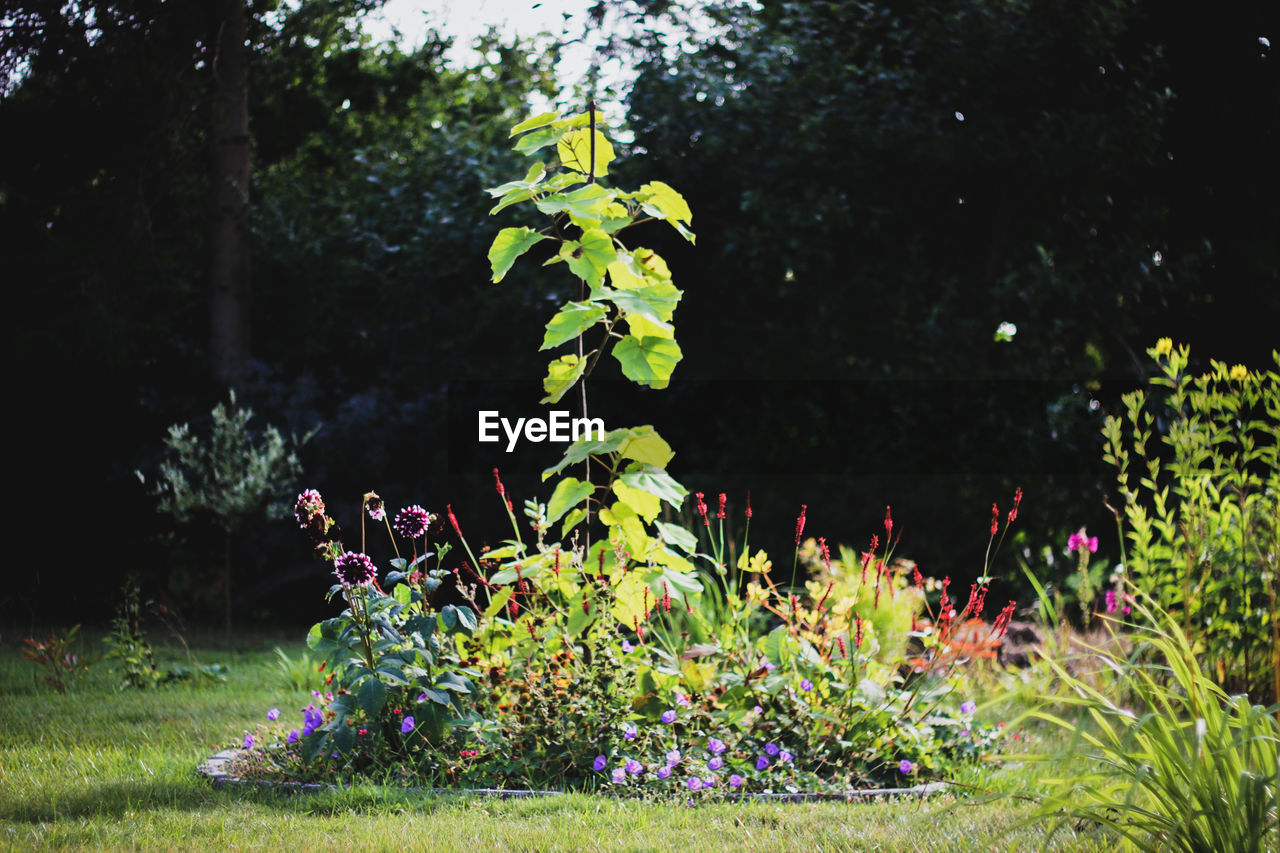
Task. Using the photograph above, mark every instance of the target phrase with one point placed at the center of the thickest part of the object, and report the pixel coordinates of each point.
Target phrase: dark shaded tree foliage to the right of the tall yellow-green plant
(880, 185)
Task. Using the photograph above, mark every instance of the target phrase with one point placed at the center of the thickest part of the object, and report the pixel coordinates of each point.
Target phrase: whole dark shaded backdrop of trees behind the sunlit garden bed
(876, 188)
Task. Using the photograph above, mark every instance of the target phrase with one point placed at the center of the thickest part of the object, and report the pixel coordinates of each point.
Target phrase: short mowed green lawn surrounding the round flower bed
(104, 769)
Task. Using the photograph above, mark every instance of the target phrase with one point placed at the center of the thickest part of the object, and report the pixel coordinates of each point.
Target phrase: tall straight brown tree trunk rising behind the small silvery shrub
(230, 171)
